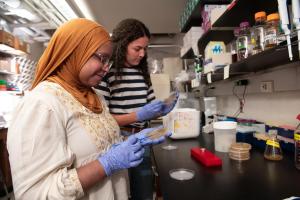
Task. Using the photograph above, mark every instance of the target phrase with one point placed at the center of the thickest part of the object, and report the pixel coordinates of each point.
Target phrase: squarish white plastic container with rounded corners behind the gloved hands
(183, 123)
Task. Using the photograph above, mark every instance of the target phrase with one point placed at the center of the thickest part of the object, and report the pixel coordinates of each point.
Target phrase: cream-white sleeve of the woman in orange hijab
(41, 161)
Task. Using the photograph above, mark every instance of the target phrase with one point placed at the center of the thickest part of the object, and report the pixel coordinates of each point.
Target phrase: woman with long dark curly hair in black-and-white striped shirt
(128, 92)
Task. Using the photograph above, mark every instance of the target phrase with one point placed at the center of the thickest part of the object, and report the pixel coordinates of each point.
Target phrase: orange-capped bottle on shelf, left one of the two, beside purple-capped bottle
(258, 33)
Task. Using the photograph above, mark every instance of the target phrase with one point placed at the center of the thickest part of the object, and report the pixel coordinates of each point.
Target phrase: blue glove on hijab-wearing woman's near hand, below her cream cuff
(122, 156)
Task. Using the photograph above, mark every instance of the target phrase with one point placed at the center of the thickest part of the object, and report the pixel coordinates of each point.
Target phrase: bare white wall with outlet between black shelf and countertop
(279, 107)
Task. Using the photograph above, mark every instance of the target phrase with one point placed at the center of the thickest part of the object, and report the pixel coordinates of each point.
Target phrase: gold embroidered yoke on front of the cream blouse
(103, 128)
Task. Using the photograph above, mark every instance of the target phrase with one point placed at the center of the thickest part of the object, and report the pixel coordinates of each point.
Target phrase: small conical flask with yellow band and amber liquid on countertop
(273, 150)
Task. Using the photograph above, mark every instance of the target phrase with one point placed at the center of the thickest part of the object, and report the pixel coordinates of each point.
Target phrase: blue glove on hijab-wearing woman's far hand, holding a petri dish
(146, 141)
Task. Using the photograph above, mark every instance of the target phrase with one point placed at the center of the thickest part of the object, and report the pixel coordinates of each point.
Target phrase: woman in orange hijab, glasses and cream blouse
(62, 141)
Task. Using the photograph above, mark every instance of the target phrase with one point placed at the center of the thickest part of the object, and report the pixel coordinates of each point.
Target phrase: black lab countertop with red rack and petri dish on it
(256, 178)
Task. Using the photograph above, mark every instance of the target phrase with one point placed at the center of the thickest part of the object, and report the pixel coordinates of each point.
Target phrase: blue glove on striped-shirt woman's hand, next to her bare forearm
(150, 111)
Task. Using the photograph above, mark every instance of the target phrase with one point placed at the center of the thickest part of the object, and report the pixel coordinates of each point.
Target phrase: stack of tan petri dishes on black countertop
(240, 151)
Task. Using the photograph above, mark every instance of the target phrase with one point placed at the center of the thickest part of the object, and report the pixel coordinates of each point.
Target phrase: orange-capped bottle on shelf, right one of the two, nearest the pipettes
(272, 30)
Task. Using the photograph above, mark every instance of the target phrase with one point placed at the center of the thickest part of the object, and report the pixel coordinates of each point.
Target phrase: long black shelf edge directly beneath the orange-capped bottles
(265, 60)
